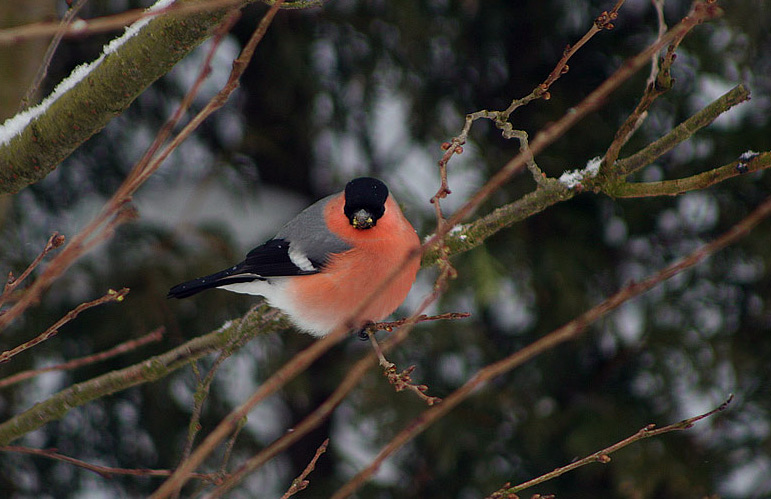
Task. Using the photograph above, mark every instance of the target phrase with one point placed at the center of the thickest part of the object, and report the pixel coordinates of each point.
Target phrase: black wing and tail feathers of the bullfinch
(269, 260)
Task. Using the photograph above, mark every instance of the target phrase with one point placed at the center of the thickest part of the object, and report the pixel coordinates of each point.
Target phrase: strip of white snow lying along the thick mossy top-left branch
(16, 124)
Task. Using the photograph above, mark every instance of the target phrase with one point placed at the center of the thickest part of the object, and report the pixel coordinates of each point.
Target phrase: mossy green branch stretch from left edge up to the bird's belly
(260, 321)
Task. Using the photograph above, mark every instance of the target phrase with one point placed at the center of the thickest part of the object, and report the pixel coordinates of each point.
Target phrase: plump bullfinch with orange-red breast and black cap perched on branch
(323, 263)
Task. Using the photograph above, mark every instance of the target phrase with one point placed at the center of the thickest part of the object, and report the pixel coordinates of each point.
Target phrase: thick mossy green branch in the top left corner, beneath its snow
(106, 92)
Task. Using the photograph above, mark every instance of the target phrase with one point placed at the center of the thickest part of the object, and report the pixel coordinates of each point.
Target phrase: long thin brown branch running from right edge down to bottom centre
(565, 333)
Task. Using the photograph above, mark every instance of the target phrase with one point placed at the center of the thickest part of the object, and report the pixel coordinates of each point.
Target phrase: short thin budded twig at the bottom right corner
(602, 456)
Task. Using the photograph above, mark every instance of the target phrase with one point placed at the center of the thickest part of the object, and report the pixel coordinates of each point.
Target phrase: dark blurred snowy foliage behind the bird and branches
(374, 88)
